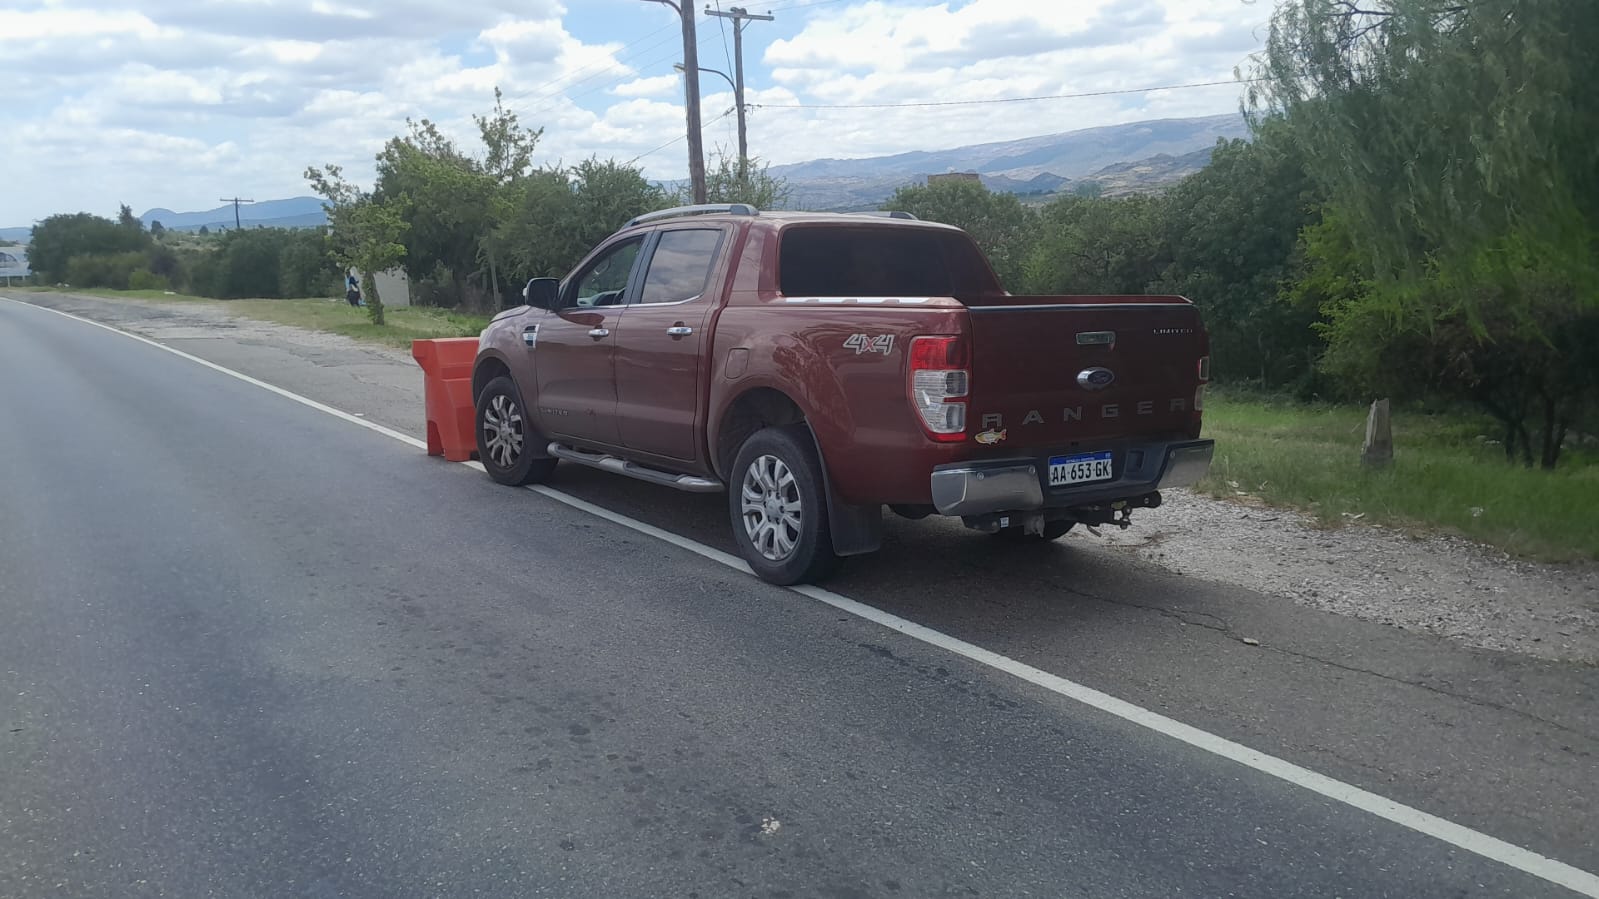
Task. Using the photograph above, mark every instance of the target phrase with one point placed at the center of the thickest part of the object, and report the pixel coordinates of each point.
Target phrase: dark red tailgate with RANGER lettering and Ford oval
(1058, 372)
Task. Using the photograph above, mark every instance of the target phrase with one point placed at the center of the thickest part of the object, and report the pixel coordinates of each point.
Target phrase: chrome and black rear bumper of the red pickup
(1023, 485)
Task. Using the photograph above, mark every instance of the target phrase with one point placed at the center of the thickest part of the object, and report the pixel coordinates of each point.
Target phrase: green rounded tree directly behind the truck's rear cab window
(1002, 226)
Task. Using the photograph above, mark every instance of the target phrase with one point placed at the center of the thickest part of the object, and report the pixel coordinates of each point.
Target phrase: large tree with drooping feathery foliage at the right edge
(1456, 142)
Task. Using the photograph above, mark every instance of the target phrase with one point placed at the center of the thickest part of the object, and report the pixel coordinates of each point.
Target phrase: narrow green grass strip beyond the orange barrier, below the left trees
(401, 327)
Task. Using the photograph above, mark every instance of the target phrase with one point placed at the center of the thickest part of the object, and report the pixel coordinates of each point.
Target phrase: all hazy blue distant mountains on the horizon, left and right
(1114, 159)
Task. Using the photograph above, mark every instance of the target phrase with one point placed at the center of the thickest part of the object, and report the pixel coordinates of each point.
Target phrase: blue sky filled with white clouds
(178, 103)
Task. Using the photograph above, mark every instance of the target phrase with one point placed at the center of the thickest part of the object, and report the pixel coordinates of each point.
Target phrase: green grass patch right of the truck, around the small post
(1446, 476)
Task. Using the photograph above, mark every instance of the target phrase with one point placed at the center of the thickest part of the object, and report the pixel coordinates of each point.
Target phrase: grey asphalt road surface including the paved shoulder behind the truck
(253, 650)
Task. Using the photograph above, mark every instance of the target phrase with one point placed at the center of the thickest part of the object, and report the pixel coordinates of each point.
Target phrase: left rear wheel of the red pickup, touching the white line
(778, 503)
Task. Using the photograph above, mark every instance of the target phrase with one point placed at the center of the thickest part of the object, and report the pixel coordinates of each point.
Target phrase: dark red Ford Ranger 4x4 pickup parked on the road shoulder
(819, 367)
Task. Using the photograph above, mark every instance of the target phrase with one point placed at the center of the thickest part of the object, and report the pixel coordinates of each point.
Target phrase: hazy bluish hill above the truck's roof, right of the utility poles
(1031, 166)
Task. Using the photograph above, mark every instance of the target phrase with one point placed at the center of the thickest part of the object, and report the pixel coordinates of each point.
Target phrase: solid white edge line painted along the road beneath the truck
(1457, 836)
